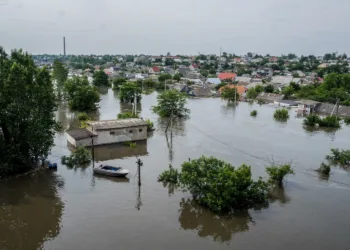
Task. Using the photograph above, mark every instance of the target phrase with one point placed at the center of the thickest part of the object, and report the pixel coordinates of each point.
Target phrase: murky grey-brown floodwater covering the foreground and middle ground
(74, 209)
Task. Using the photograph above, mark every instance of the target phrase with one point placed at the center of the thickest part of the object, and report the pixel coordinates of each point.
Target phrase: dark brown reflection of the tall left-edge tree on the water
(30, 211)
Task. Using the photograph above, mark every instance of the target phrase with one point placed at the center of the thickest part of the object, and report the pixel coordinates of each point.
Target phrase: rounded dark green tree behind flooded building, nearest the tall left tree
(81, 96)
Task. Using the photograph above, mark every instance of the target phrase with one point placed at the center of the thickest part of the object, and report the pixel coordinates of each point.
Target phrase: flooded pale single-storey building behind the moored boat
(108, 132)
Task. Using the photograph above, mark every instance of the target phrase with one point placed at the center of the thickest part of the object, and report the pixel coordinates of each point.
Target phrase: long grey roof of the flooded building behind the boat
(113, 124)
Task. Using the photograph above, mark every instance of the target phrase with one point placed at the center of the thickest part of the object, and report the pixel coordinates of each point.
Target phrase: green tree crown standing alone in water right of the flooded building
(171, 102)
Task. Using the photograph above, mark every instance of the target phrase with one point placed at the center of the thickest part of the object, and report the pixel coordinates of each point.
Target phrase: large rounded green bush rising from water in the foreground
(220, 186)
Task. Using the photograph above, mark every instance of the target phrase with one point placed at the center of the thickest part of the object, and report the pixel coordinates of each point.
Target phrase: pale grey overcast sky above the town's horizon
(179, 27)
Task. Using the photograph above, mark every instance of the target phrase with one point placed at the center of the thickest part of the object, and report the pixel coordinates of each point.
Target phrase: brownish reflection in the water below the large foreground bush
(220, 228)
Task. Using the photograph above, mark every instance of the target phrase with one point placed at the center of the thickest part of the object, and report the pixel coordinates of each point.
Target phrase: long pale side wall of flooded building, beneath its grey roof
(121, 135)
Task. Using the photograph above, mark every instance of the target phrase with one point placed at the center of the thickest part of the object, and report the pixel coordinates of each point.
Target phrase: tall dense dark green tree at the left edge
(27, 119)
